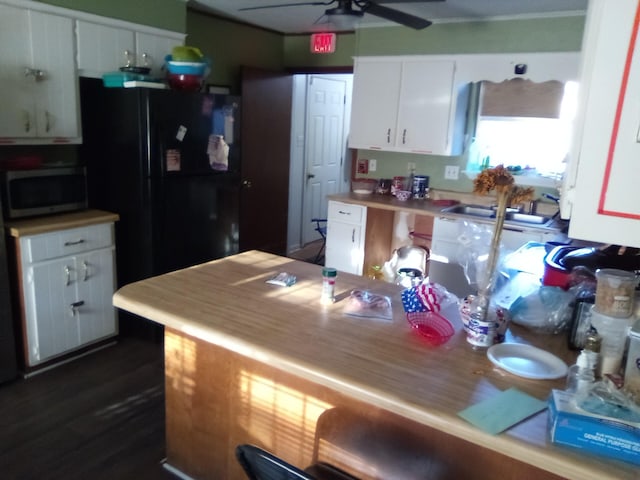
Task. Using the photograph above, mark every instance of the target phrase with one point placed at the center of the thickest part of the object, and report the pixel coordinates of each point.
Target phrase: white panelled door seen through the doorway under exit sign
(324, 148)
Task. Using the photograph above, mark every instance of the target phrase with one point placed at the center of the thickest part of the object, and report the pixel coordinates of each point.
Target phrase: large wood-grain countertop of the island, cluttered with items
(227, 303)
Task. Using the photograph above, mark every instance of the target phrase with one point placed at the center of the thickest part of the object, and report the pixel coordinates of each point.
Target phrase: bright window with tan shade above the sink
(526, 126)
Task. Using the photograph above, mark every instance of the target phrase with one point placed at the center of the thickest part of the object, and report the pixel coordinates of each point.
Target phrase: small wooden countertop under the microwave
(50, 223)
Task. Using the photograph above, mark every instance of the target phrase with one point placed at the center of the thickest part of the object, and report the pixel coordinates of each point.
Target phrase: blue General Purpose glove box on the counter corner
(607, 436)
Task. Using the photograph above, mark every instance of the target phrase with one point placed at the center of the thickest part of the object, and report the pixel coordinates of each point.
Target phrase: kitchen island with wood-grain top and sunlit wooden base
(251, 362)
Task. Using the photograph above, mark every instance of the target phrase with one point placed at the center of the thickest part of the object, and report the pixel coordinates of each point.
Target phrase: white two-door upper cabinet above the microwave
(39, 88)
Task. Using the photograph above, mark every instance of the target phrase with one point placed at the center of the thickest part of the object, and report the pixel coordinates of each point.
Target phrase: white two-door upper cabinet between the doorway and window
(405, 105)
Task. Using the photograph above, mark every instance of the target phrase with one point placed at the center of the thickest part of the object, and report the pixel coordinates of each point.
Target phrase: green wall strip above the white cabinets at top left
(165, 14)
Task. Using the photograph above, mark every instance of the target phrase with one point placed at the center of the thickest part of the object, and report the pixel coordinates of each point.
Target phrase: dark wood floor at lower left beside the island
(98, 417)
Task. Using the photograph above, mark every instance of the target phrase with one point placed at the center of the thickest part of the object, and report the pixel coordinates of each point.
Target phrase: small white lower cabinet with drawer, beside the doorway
(346, 225)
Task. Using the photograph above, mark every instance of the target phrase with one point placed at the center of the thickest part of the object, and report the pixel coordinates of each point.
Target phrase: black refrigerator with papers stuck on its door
(168, 162)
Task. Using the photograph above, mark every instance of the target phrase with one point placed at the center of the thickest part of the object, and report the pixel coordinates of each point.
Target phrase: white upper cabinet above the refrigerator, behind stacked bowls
(105, 48)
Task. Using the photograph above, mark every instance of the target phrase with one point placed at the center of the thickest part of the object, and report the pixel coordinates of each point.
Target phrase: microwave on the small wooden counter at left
(44, 191)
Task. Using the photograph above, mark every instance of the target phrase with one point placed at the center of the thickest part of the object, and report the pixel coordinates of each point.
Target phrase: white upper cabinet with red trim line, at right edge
(600, 193)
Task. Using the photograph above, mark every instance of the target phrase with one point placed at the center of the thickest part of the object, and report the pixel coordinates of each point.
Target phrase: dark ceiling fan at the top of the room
(345, 15)
